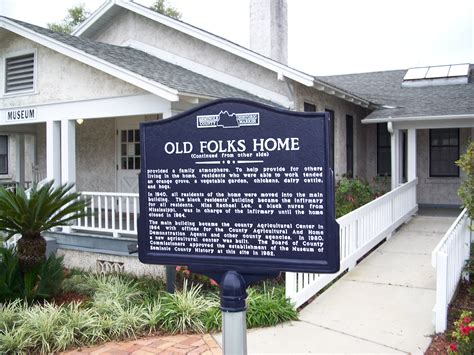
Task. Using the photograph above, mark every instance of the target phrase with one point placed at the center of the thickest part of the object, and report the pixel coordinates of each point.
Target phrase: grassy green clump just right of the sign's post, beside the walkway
(268, 308)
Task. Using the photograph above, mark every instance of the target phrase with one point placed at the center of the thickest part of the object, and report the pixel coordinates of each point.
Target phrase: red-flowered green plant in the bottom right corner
(463, 335)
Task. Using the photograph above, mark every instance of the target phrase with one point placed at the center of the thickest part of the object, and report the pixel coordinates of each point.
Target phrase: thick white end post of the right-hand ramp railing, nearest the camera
(441, 307)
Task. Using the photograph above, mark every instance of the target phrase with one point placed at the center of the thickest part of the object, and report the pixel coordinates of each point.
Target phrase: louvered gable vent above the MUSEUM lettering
(20, 73)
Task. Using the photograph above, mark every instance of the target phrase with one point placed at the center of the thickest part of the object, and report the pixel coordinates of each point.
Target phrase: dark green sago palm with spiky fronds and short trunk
(31, 214)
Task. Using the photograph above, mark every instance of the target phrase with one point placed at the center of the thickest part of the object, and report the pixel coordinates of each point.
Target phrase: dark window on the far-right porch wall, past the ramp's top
(444, 151)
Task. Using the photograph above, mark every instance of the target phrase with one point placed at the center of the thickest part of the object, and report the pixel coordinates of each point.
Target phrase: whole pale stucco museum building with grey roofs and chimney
(70, 108)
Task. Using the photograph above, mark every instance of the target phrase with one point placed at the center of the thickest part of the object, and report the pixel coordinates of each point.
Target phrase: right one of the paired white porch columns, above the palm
(68, 151)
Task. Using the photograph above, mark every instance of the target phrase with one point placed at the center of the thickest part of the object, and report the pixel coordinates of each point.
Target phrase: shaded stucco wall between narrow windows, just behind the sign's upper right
(341, 108)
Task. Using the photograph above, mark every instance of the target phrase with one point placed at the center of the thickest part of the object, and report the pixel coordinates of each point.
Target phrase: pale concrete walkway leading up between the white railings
(384, 305)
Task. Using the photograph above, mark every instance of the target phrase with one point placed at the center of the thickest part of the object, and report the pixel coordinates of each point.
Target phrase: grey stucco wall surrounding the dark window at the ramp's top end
(437, 190)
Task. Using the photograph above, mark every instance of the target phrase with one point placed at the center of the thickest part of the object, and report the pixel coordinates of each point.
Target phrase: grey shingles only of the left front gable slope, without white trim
(148, 66)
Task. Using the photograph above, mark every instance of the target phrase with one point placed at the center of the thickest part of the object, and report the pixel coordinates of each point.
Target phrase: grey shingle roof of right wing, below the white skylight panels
(385, 88)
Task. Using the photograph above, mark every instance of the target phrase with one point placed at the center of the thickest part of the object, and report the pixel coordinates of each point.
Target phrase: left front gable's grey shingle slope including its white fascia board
(134, 66)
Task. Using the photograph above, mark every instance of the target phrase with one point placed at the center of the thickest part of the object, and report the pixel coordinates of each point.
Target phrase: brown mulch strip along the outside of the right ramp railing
(463, 301)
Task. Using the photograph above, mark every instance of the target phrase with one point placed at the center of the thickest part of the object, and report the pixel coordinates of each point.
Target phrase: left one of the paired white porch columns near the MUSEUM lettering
(53, 151)
